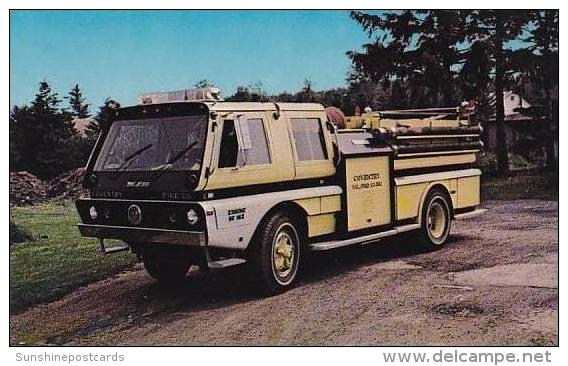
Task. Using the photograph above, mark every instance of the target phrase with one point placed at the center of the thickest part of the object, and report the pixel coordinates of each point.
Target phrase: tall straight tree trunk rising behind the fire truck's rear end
(502, 158)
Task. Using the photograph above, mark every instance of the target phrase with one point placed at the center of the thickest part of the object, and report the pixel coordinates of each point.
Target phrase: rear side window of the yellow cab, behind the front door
(308, 139)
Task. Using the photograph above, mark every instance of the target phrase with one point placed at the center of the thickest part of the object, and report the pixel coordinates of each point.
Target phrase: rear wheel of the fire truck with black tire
(436, 219)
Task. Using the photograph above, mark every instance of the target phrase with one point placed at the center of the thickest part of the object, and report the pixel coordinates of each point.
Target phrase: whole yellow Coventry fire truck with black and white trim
(184, 178)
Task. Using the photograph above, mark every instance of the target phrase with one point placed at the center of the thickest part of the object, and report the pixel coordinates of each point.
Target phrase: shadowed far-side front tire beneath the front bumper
(166, 266)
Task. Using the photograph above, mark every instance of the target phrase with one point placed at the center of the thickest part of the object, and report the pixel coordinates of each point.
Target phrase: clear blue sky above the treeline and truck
(122, 53)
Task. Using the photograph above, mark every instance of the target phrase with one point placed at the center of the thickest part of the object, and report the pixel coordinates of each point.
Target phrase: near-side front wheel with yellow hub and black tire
(276, 252)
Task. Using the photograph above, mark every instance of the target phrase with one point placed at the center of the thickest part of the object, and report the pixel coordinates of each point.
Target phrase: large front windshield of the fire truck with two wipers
(152, 144)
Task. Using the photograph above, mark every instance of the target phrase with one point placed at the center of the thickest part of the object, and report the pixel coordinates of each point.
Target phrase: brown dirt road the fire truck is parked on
(494, 284)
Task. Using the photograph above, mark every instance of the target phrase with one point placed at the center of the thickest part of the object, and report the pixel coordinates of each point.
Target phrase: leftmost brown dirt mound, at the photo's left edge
(26, 189)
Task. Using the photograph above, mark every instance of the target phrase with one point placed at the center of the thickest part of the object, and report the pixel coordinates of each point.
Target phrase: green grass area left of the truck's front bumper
(59, 259)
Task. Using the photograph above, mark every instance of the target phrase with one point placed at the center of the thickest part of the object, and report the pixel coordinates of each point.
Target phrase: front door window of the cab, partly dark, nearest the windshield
(250, 136)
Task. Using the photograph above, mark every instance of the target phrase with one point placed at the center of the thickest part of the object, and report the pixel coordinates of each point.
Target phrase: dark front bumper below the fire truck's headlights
(150, 235)
